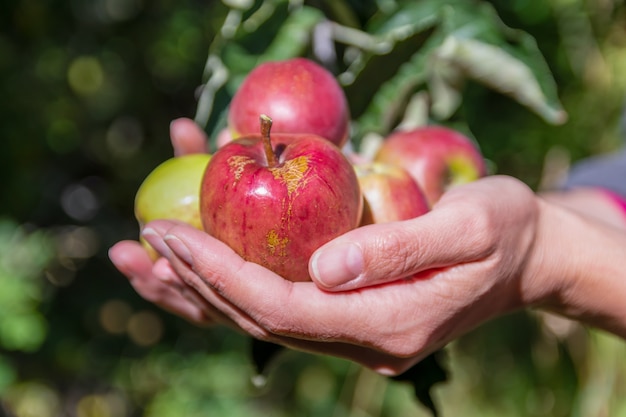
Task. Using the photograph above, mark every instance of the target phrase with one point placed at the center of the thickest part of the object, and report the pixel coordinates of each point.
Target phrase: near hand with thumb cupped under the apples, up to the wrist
(417, 285)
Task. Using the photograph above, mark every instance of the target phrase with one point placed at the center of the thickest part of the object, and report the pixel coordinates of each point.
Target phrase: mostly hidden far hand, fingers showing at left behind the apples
(156, 281)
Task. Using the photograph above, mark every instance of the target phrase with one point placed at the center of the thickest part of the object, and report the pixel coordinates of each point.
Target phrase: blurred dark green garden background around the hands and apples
(88, 89)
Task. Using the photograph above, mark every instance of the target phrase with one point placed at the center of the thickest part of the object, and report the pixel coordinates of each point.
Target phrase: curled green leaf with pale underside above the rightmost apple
(468, 41)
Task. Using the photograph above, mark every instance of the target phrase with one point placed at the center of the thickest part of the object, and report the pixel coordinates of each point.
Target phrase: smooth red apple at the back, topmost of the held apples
(301, 97)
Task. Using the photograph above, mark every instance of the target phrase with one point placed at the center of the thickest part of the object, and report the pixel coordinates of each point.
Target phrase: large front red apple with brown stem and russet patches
(275, 201)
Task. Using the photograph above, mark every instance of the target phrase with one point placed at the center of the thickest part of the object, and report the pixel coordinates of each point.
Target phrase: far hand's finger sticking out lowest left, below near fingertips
(132, 260)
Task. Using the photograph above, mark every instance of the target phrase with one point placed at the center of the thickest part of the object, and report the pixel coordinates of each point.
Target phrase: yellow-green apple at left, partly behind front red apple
(172, 191)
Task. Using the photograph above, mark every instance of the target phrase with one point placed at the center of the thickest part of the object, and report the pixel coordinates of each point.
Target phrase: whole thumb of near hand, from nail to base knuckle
(465, 226)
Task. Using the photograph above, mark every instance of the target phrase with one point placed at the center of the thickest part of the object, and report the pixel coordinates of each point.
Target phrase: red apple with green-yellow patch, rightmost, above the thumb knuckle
(437, 157)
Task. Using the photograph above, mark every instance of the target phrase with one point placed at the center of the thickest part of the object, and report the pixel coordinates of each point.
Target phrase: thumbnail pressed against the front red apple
(337, 265)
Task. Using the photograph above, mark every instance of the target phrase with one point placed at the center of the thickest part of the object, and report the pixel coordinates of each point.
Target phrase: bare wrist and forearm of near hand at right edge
(576, 268)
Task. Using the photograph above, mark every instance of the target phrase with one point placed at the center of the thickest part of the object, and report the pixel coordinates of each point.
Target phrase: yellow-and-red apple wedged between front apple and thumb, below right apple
(389, 192)
